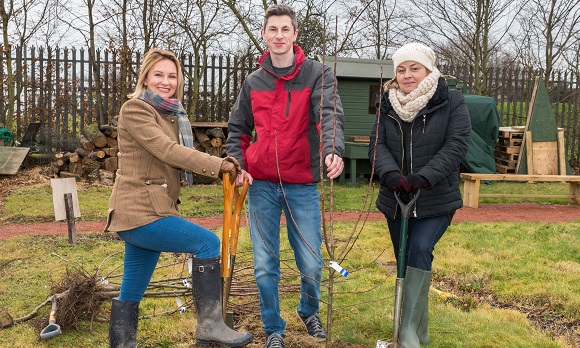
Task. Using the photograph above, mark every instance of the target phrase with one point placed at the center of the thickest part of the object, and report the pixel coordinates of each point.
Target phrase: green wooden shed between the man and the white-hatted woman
(359, 88)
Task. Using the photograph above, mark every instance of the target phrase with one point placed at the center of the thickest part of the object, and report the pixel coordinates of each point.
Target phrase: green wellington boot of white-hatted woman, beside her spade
(415, 311)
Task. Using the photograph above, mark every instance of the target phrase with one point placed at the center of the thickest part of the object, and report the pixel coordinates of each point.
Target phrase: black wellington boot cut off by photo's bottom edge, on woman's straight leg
(123, 325)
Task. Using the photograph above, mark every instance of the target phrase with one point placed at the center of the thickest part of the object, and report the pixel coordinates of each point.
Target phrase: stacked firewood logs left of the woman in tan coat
(94, 160)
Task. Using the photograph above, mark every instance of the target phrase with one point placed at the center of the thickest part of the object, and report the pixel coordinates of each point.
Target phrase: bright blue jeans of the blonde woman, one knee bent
(144, 244)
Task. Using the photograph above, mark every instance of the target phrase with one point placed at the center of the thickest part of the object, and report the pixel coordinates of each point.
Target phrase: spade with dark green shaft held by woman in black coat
(401, 269)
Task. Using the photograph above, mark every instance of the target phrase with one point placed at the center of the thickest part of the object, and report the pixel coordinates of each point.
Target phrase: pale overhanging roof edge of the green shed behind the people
(359, 68)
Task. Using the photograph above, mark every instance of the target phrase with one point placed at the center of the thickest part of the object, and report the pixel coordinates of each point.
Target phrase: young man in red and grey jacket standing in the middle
(274, 132)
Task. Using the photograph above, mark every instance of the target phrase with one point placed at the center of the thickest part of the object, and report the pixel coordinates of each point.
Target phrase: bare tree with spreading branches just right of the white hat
(469, 31)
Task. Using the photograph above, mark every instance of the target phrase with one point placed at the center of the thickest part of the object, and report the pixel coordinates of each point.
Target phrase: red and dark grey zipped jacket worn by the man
(275, 125)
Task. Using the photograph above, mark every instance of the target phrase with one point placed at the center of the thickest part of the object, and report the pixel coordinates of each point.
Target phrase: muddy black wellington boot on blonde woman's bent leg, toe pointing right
(208, 306)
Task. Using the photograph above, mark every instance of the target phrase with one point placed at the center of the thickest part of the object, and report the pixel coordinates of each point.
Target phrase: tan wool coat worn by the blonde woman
(147, 183)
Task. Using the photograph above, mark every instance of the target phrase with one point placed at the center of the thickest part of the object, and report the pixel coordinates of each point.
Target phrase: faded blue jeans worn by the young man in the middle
(302, 210)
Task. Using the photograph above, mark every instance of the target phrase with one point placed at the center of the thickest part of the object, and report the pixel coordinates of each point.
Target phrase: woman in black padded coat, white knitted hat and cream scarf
(417, 143)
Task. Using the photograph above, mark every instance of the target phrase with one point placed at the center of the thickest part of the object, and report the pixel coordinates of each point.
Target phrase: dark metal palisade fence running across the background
(56, 87)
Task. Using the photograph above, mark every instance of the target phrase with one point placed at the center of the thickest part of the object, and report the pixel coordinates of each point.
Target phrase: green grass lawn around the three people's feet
(513, 284)
